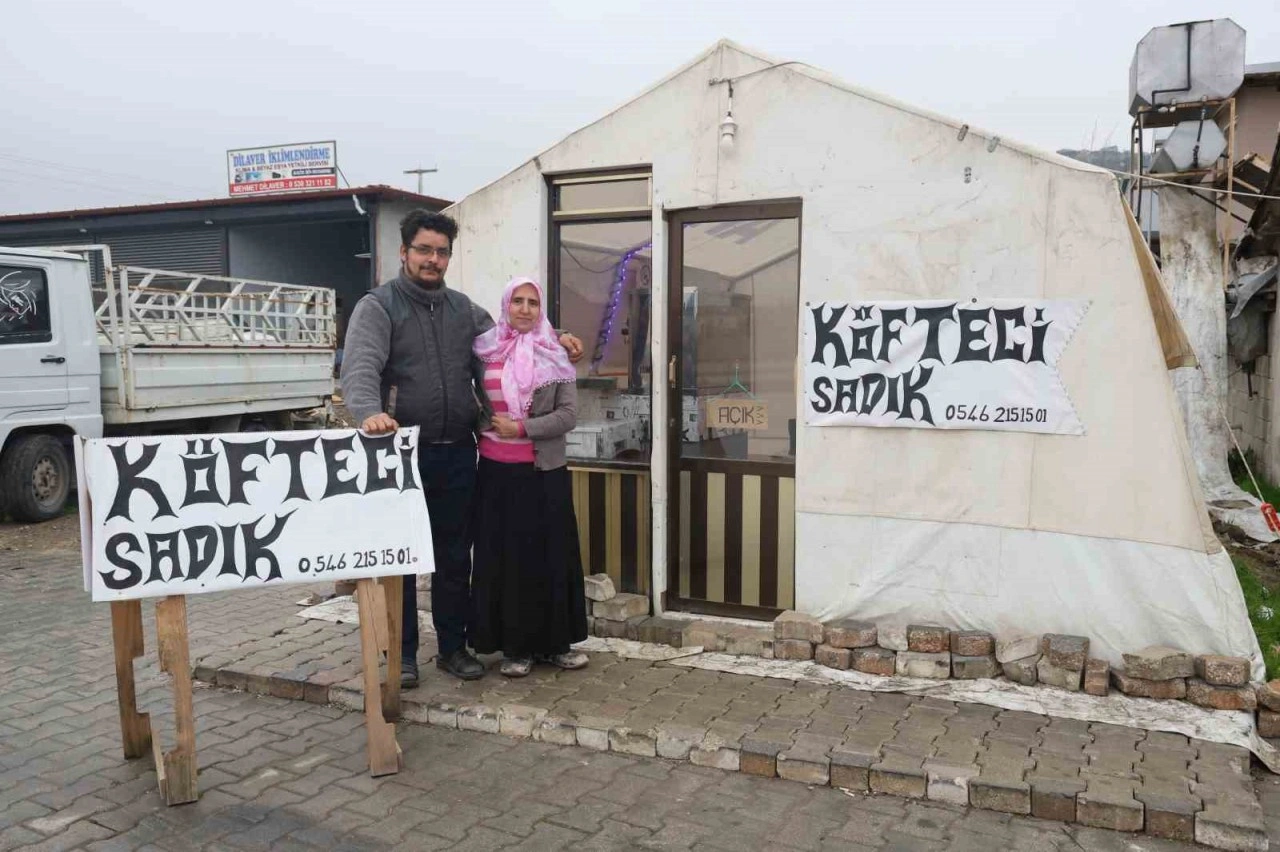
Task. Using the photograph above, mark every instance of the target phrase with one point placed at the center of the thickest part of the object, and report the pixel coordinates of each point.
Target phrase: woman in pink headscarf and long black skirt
(527, 585)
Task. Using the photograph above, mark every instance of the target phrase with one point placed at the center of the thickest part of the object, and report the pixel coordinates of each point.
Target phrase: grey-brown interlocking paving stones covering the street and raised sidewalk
(290, 775)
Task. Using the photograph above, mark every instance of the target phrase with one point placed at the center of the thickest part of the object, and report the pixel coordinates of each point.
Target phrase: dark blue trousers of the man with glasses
(449, 478)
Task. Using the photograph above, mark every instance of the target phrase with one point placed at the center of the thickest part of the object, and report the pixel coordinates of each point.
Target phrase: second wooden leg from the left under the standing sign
(177, 768)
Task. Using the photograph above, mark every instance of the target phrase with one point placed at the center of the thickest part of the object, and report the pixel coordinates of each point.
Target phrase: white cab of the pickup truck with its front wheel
(49, 378)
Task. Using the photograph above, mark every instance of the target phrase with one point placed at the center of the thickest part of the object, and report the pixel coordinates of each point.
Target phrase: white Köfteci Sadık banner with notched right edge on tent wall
(990, 364)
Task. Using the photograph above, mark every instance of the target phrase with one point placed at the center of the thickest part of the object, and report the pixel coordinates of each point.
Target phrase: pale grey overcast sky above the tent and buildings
(113, 103)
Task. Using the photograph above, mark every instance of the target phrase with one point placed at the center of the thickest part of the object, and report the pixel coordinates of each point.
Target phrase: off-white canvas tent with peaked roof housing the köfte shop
(1101, 534)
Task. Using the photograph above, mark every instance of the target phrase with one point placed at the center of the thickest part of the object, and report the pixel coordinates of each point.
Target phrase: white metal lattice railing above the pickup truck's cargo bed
(135, 306)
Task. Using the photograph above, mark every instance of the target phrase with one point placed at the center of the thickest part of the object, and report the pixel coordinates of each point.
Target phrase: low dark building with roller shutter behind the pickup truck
(348, 240)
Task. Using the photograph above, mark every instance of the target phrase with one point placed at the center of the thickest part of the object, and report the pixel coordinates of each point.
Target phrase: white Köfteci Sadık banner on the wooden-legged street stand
(200, 514)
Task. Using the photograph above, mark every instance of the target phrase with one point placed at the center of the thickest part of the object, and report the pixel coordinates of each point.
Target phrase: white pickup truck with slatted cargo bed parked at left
(89, 349)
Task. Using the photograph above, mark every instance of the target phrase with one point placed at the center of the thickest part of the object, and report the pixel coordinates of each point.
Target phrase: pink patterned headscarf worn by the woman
(529, 361)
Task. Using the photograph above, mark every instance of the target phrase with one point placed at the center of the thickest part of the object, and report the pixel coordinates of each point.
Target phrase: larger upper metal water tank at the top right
(1186, 63)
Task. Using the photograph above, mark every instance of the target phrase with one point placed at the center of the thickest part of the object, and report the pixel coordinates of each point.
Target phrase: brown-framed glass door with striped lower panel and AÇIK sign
(735, 303)
